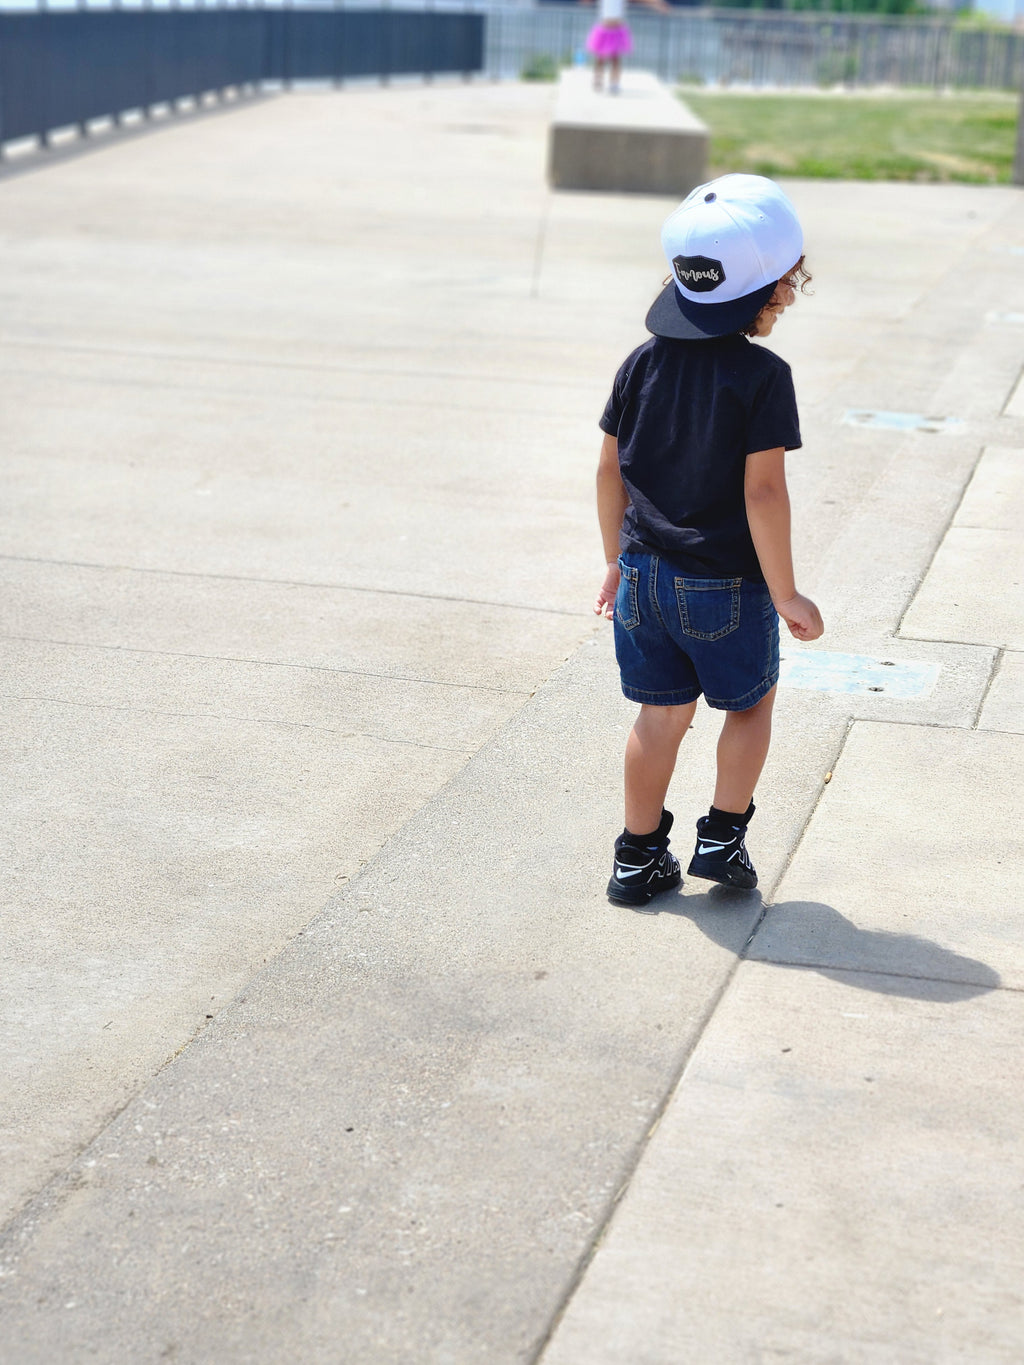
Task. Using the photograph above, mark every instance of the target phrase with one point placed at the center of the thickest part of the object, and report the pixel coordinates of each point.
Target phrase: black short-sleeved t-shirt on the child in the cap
(687, 414)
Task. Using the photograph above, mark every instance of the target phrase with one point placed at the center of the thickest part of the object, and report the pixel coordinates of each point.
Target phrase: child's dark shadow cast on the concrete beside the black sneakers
(814, 937)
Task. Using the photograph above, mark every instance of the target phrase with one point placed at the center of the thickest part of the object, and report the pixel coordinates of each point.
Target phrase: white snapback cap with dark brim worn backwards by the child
(728, 244)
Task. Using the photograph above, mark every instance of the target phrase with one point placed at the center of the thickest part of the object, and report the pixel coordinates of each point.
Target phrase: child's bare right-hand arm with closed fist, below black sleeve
(768, 515)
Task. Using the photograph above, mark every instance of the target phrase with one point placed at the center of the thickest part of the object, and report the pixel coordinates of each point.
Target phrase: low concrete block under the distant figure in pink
(642, 140)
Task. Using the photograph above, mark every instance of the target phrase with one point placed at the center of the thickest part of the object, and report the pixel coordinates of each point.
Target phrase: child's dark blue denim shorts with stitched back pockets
(678, 637)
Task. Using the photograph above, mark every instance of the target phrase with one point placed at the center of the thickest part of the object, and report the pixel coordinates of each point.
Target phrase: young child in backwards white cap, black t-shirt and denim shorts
(692, 491)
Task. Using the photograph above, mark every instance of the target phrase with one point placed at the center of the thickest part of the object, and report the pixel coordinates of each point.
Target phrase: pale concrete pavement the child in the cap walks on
(322, 1039)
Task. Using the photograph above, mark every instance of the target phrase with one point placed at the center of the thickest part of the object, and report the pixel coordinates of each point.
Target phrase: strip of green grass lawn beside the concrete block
(857, 137)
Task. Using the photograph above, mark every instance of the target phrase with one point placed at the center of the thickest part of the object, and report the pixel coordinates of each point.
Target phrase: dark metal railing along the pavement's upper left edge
(59, 69)
